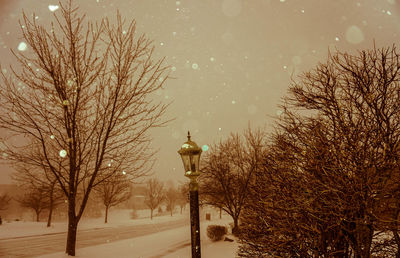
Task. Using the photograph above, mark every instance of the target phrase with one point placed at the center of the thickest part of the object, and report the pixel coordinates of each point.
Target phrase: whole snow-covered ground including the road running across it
(163, 242)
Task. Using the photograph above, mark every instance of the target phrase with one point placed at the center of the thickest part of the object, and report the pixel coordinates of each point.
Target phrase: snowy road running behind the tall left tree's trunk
(44, 244)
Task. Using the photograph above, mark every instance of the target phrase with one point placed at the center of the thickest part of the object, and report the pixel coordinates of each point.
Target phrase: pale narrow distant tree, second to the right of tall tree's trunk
(154, 194)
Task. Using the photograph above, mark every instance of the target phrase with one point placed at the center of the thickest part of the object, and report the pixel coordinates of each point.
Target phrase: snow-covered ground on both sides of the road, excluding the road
(173, 243)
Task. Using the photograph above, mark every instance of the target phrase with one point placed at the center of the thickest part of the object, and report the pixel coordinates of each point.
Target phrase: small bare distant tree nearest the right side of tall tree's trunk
(113, 191)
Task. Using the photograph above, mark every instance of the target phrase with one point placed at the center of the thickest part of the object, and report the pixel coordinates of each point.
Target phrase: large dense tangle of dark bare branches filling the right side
(333, 166)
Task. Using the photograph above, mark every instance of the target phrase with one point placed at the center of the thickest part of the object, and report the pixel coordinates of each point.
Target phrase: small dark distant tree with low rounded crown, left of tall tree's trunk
(35, 199)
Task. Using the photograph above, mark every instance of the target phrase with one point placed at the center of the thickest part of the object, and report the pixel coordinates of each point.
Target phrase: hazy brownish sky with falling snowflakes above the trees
(232, 59)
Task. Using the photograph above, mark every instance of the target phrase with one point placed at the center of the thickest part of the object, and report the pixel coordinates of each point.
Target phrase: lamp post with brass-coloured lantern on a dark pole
(190, 154)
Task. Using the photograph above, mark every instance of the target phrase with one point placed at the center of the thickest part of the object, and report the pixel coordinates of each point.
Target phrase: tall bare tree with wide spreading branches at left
(84, 90)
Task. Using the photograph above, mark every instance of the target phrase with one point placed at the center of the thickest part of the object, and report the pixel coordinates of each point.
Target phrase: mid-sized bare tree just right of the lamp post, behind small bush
(227, 171)
